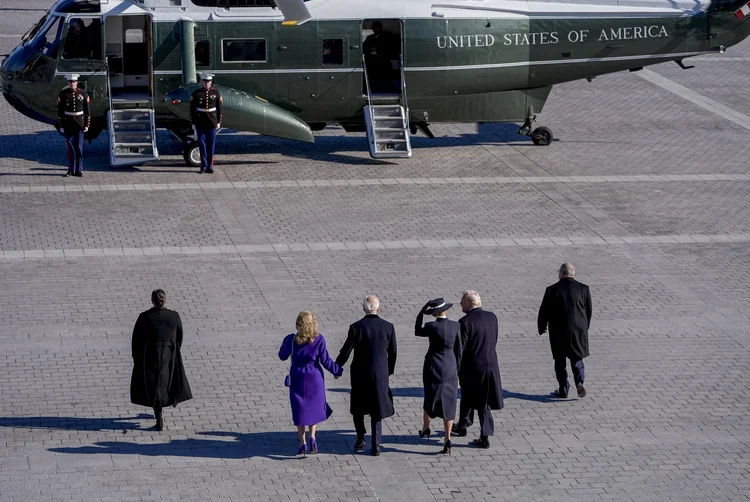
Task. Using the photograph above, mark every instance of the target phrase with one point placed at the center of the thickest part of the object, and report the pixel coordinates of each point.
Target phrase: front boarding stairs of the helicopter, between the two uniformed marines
(132, 130)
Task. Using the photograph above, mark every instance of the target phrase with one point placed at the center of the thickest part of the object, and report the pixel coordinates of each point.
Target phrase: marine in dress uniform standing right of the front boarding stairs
(205, 113)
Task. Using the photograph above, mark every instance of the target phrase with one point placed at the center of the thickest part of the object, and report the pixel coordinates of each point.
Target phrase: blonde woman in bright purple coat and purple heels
(307, 388)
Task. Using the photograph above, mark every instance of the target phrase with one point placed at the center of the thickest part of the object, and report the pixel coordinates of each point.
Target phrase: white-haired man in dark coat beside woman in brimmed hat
(479, 374)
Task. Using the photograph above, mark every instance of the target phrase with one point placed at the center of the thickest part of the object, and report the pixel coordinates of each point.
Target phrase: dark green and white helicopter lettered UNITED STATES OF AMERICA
(287, 68)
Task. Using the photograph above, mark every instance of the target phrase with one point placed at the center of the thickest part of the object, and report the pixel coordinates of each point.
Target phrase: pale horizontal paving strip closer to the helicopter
(324, 183)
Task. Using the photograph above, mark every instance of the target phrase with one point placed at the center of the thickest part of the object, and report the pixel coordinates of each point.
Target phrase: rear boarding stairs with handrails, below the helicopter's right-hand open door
(387, 121)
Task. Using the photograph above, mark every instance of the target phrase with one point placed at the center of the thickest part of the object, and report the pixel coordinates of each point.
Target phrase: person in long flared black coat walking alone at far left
(159, 378)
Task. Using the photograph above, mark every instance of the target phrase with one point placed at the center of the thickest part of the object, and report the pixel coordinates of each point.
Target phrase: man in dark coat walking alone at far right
(566, 309)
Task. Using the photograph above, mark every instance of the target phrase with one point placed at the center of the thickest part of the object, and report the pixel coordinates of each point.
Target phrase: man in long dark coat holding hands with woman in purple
(373, 341)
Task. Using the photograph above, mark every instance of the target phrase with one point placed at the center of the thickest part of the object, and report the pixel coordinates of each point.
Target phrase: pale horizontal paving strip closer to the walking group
(384, 245)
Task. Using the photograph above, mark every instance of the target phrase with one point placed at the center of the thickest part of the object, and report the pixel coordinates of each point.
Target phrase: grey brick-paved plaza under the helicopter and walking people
(646, 191)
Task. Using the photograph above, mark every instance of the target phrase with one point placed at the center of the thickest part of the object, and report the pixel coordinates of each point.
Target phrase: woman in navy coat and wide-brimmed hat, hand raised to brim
(440, 370)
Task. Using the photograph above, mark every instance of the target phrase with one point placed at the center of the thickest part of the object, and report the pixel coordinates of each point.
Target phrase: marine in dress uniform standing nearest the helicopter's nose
(73, 120)
